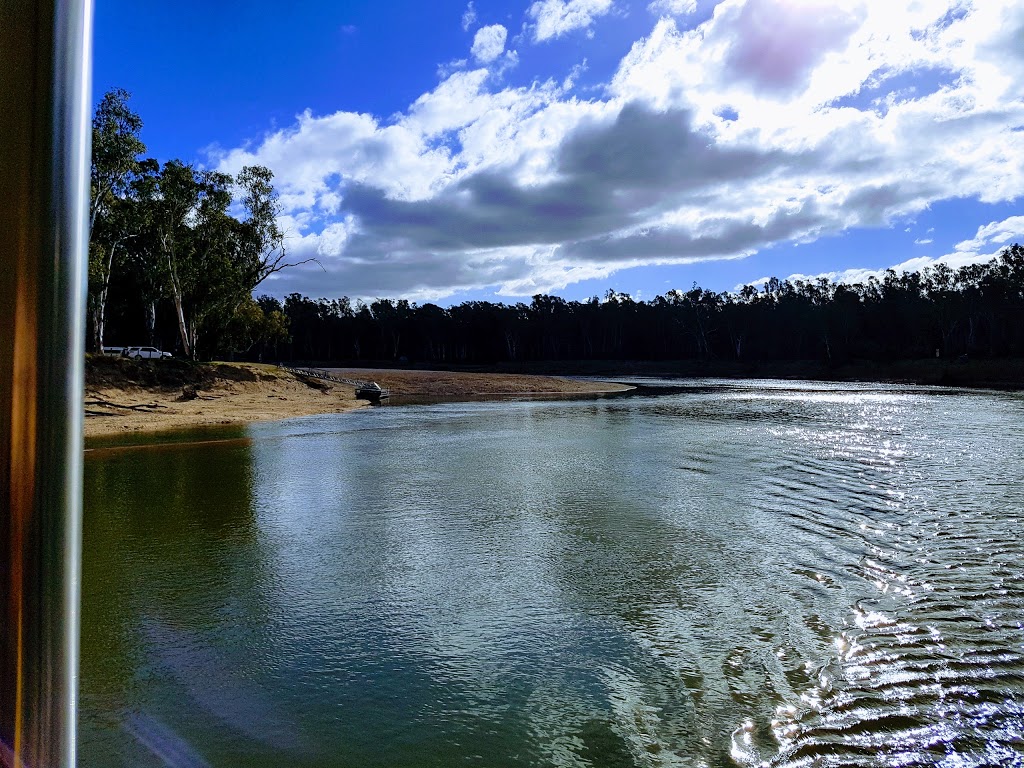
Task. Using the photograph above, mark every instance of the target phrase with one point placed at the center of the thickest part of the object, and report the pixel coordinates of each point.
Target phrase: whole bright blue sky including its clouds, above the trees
(453, 151)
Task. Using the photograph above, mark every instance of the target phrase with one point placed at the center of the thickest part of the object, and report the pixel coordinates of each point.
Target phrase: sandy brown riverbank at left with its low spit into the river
(125, 397)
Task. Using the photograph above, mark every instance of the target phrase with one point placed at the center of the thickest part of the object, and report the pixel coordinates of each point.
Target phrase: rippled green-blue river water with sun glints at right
(736, 574)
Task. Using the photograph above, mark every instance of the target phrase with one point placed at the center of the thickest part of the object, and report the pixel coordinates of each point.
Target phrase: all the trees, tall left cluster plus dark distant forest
(172, 265)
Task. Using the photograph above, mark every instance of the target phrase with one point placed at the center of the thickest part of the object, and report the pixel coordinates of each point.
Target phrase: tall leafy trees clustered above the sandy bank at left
(170, 234)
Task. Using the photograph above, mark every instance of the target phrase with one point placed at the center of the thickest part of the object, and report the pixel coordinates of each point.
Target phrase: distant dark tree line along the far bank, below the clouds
(977, 311)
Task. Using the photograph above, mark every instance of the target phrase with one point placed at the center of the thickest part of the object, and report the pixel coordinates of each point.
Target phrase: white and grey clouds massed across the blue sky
(706, 144)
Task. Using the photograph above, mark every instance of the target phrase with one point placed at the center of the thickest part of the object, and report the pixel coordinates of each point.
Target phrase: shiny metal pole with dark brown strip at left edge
(46, 71)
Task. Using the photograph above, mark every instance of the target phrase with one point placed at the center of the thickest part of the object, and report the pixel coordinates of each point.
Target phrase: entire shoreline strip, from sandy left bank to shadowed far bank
(130, 398)
